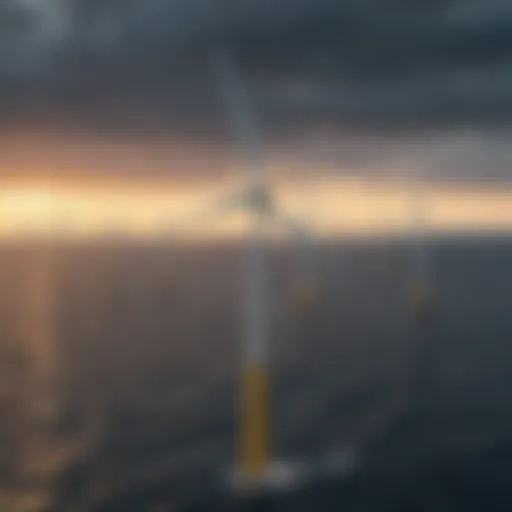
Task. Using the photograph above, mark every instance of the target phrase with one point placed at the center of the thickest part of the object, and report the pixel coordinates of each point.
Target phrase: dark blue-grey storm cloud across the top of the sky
(368, 62)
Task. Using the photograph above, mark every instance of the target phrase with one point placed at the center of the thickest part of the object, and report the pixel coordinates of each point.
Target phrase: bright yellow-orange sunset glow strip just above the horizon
(332, 206)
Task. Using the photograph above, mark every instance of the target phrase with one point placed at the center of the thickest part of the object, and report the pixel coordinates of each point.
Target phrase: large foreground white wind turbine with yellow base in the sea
(254, 469)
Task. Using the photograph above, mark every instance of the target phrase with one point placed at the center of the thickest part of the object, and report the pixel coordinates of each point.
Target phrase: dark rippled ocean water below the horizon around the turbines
(128, 400)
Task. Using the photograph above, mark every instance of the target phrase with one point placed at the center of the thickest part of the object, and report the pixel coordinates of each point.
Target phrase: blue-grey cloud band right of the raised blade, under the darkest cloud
(455, 96)
